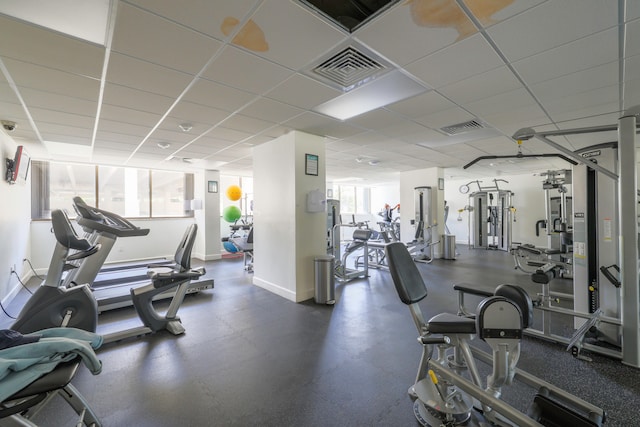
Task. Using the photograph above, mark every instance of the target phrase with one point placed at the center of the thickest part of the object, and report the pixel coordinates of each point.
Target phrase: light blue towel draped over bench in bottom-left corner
(23, 364)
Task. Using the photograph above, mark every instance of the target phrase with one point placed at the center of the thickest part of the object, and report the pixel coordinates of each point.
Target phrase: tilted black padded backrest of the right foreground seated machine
(405, 274)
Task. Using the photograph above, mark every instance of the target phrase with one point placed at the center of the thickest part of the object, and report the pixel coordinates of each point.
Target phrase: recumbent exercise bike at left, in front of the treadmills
(53, 305)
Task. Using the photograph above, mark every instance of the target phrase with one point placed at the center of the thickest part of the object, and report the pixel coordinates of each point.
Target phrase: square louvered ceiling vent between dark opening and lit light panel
(349, 68)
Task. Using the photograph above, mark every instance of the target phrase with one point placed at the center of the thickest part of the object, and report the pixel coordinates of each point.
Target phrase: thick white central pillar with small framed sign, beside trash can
(287, 238)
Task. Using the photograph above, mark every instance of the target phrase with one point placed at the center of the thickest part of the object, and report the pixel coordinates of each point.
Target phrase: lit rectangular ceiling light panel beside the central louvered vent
(392, 87)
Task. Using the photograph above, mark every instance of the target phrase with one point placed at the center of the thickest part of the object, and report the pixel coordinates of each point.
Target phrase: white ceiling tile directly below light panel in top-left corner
(30, 43)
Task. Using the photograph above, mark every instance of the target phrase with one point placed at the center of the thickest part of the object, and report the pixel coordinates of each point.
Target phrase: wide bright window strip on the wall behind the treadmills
(129, 192)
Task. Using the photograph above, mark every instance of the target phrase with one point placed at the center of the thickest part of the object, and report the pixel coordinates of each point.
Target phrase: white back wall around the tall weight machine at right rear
(528, 200)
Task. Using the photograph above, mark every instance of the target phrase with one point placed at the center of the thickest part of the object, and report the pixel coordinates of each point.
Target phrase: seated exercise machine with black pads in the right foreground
(448, 386)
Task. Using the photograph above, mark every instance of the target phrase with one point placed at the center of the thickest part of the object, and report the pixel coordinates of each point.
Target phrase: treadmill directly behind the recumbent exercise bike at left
(111, 287)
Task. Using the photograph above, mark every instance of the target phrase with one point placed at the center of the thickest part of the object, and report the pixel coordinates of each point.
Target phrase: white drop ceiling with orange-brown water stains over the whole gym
(238, 74)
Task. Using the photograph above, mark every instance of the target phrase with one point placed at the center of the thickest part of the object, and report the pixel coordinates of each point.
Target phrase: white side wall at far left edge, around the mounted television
(15, 216)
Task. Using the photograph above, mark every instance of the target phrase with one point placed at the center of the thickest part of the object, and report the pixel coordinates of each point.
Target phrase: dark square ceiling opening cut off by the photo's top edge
(348, 15)
